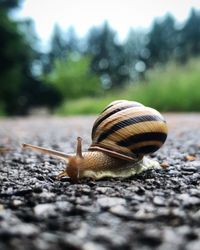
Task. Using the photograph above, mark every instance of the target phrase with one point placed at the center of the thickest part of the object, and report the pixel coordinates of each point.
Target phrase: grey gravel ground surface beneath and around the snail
(159, 209)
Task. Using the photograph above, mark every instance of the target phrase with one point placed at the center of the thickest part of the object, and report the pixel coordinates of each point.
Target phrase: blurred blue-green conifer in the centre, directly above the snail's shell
(107, 56)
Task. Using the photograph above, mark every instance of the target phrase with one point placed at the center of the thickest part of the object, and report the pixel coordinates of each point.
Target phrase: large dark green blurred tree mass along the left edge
(17, 58)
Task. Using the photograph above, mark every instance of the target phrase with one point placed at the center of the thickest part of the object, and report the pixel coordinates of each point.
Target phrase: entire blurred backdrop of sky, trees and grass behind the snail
(74, 57)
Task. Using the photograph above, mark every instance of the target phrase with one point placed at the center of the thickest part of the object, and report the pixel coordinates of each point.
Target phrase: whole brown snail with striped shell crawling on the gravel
(123, 134)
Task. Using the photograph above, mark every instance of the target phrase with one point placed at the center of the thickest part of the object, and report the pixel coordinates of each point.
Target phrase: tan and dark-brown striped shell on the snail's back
(128, 130)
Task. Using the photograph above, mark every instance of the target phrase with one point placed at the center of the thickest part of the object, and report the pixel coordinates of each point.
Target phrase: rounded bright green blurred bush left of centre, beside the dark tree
(73, 79)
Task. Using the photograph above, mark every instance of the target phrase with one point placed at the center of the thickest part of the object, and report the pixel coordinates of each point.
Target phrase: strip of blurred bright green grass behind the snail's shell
(173, 88)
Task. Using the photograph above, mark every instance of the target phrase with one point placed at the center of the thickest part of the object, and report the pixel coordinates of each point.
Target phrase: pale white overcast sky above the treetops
(82, 14)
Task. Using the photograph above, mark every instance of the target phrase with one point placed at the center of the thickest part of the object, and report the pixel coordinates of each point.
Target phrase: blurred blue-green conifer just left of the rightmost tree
(162, 40)
